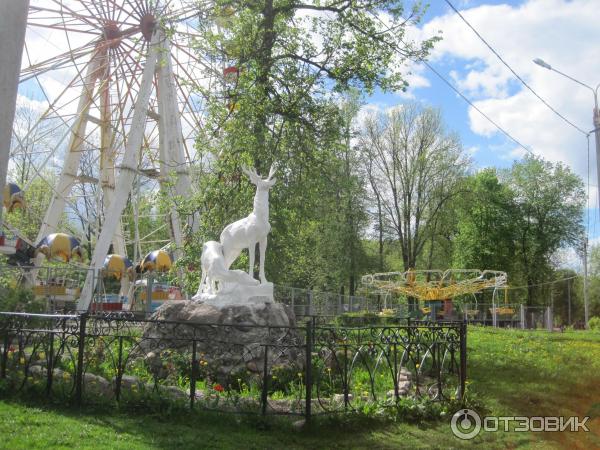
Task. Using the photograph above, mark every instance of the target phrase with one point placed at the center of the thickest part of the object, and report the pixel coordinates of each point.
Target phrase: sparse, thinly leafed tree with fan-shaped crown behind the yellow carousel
(416, 169)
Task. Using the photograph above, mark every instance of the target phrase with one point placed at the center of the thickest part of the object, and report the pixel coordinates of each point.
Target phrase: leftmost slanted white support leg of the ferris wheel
(73, 157)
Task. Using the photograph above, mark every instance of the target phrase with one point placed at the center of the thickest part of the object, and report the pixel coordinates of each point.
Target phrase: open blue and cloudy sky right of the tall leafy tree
(562, 33)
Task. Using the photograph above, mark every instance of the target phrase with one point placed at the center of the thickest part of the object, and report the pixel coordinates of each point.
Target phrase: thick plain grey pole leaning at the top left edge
(13, 22)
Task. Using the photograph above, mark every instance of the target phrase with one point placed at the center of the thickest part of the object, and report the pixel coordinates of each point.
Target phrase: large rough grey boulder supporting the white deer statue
(230, 339)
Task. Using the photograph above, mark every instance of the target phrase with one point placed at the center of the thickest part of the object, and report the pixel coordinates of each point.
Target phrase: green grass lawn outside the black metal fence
(511, 373)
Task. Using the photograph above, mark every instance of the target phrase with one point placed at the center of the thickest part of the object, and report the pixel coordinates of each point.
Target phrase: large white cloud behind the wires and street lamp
(561, 33)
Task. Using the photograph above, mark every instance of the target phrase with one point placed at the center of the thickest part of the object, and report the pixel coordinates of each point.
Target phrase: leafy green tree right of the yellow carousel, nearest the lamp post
(548, 213)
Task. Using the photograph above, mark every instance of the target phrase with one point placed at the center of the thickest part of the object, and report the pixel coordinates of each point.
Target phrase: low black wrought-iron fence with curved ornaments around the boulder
(303, 371)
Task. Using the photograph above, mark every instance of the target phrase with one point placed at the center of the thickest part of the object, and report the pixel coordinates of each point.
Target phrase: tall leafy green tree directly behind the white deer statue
(289, 57)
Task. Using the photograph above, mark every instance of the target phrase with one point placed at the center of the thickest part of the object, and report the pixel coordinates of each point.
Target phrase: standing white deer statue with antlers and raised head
(245, 233)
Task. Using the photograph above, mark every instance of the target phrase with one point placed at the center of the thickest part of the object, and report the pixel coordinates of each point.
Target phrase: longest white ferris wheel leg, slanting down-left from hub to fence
(126, 176)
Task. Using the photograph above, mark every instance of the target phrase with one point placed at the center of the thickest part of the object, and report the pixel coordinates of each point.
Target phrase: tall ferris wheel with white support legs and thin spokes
(123, 89)
